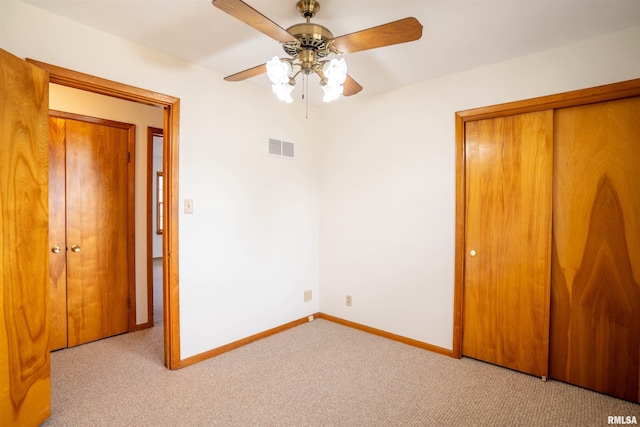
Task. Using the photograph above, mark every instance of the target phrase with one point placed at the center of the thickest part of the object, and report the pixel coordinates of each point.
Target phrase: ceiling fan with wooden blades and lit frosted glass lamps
(308, 45)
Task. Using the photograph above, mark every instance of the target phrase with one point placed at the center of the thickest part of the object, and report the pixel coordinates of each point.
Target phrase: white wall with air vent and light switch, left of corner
(250, 249)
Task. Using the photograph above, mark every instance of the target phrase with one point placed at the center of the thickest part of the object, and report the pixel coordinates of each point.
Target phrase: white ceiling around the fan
(458, 35)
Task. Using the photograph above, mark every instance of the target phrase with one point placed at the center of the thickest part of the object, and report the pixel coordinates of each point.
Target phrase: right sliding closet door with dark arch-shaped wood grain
(595, 304)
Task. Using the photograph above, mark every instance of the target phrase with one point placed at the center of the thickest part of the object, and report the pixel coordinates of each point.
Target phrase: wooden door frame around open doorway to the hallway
(171, 106)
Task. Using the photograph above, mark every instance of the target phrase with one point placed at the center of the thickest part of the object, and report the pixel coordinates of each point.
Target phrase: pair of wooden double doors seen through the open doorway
(88, 225)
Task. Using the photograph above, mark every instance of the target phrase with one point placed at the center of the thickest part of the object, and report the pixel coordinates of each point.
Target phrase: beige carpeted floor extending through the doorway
(317, 374)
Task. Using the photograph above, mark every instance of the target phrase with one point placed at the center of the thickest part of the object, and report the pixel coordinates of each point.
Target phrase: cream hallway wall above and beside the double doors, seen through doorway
(90, 104)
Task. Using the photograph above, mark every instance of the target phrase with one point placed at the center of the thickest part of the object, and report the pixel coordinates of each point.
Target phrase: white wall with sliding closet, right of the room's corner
(388, 183)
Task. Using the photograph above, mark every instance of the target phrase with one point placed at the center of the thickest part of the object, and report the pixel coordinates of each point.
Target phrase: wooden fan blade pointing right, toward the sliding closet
(402, 31)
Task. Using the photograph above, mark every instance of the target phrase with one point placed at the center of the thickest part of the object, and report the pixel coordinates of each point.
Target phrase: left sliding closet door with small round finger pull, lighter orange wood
(508, 241)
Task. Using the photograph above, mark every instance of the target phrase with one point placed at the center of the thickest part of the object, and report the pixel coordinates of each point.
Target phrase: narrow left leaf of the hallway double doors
(57, 233)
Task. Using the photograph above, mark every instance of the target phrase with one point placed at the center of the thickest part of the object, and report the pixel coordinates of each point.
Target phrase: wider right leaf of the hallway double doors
(97, 221)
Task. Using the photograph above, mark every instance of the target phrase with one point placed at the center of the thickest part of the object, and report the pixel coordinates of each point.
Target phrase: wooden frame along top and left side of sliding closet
(608, 92)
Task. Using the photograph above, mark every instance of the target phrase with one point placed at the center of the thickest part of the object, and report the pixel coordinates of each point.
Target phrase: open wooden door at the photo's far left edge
(24, 243)
